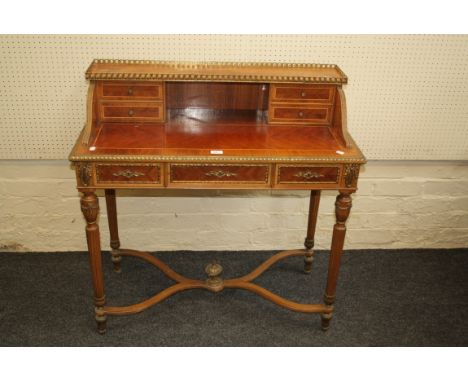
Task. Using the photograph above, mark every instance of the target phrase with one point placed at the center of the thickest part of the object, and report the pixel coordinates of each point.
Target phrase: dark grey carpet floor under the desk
(385, 298)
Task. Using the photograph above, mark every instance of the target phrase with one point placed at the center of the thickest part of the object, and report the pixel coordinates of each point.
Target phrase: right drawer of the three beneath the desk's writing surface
(307, 174)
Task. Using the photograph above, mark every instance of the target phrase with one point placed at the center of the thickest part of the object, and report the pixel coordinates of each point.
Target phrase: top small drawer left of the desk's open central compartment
(132, 90)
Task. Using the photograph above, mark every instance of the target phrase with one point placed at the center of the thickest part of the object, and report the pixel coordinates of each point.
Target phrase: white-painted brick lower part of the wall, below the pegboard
(398, 205)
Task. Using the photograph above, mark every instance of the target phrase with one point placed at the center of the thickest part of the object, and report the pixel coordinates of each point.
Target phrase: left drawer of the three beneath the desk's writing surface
(128, 174)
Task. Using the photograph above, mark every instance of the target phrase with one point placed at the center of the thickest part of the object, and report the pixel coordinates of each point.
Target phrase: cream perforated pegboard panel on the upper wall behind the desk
(406, 96)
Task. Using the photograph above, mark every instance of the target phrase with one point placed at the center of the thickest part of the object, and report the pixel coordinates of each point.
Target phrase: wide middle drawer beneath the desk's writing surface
(220, 174)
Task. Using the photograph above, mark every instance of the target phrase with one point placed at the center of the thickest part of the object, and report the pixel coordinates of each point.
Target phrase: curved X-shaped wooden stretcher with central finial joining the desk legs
(214, 283)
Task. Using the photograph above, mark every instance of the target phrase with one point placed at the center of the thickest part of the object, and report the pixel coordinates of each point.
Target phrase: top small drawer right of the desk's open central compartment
(301, 93)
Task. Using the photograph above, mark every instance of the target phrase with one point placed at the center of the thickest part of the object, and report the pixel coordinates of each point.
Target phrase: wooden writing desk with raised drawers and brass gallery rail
(214, 125)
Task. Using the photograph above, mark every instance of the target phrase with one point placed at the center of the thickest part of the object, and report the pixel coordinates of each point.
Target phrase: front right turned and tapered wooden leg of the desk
(342, 209)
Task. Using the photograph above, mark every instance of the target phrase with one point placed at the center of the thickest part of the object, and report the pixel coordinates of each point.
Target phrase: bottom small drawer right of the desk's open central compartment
(299, 113)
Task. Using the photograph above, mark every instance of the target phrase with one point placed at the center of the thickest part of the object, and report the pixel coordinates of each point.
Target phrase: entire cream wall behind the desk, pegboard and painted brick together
(407, 98)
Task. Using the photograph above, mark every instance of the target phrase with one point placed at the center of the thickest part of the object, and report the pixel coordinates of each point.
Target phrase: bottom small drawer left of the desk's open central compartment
(131, 111)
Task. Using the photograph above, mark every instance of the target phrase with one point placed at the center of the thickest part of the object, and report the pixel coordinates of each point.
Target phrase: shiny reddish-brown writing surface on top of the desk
(192, 134)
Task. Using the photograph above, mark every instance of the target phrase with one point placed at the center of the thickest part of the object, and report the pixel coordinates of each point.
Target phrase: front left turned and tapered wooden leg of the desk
(90, 209)
